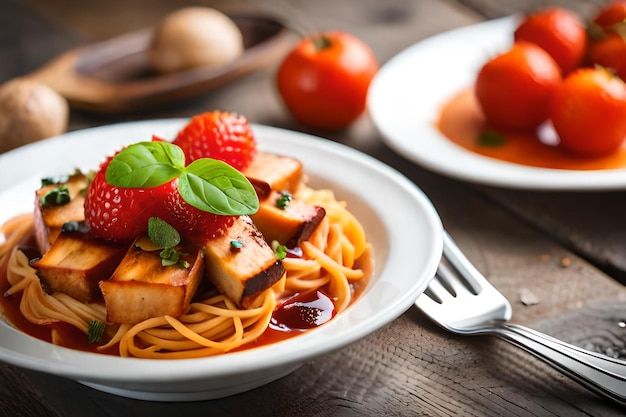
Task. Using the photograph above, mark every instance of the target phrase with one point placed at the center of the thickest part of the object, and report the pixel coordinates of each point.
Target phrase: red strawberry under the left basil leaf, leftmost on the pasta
(121, 214)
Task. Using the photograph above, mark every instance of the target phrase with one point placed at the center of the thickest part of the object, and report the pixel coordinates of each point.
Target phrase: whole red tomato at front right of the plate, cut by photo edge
(588, 111)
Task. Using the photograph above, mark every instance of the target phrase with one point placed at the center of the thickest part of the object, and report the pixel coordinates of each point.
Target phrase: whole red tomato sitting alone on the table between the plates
(324, 79)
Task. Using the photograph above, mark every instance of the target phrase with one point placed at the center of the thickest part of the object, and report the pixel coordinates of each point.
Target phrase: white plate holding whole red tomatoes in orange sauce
(407, 94)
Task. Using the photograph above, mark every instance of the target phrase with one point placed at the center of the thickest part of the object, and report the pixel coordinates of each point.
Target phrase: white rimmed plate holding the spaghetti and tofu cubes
(401, 223)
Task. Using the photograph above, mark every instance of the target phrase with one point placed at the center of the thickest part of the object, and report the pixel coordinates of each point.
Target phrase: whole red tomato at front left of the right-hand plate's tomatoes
(513, 88)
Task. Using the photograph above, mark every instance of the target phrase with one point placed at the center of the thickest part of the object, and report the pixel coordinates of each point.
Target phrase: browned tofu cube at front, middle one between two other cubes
(142, 288)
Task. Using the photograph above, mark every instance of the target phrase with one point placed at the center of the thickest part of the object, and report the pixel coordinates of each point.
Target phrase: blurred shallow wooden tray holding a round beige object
(114, 76)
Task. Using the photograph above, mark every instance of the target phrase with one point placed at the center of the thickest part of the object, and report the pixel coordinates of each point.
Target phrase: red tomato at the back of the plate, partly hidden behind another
(560, 32)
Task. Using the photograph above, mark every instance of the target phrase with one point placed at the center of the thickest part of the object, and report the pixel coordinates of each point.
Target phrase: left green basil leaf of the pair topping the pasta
(145, 165)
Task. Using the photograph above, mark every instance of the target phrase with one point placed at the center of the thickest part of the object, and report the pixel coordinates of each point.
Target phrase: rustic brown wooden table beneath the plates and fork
(567, 248)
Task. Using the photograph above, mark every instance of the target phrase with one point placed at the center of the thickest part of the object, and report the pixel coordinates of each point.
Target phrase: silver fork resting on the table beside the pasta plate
(464, 302)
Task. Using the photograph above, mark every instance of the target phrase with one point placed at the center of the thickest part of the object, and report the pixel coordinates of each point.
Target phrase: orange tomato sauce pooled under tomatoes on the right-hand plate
(462, 122)
